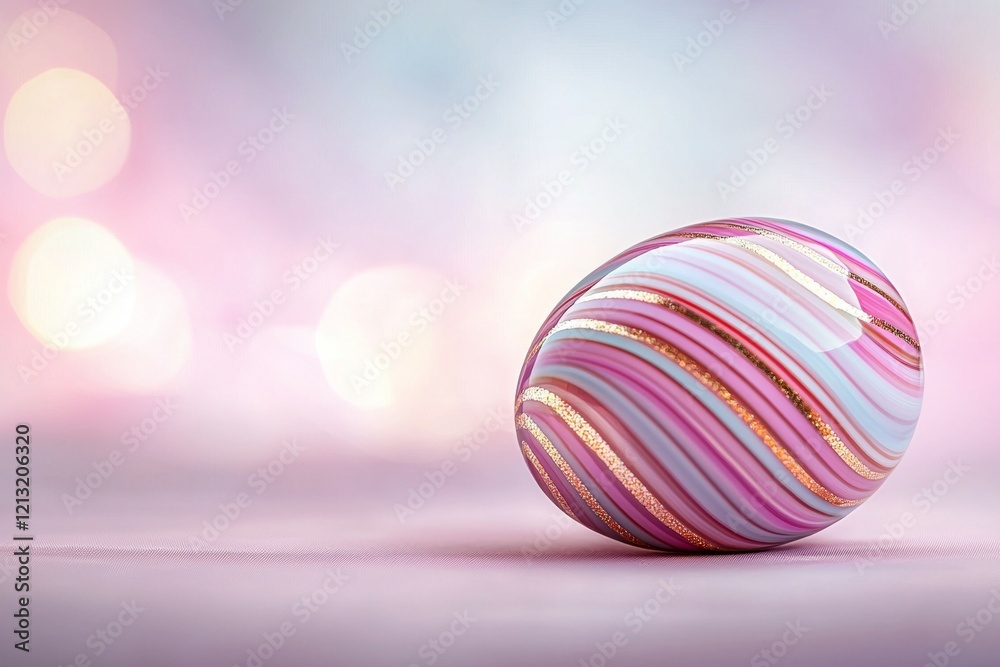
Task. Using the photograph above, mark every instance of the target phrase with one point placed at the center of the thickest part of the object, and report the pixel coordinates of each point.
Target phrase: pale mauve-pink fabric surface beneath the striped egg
(550, 593)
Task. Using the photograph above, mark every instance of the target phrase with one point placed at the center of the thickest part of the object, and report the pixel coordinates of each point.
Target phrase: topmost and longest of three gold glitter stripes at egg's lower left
(590, 437)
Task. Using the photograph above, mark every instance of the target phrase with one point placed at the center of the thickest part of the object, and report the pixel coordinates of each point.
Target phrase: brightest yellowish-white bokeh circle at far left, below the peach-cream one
(72, 284)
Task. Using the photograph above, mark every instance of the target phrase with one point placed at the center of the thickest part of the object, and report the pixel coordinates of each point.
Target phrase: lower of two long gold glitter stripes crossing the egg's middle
(721, 391)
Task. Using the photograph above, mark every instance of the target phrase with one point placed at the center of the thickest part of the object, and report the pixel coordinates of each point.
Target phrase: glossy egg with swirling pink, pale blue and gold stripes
(732, 385)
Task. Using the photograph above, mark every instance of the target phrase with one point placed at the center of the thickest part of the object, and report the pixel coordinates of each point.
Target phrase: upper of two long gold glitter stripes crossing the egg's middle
(824, 429)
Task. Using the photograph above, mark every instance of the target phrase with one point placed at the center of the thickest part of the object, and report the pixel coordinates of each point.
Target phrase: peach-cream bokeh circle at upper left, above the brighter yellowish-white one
(65, 133)
